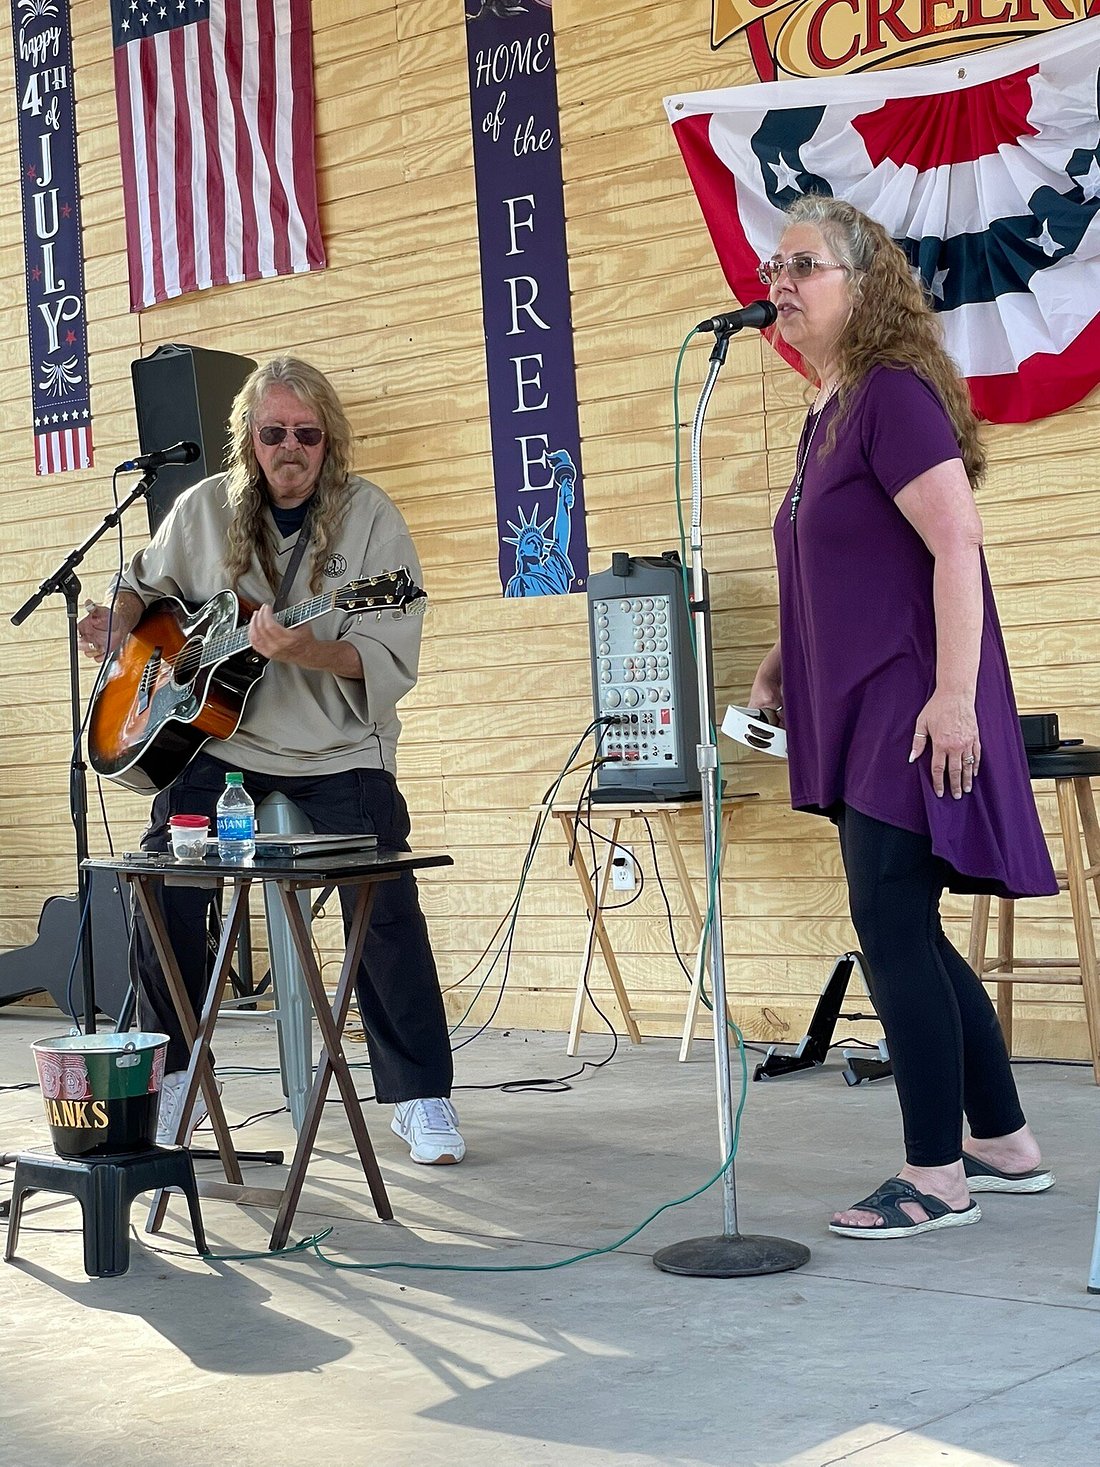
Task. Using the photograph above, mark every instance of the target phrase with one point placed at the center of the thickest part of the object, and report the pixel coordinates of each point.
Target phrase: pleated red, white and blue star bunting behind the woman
(985, 169)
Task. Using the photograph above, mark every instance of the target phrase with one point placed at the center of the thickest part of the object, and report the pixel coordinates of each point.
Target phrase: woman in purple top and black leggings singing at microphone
(895, 690)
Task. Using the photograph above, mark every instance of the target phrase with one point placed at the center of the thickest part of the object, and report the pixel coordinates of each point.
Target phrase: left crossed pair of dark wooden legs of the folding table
(197, 1035)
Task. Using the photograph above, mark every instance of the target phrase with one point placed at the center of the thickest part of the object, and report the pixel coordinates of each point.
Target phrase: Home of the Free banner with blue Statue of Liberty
(526, 299)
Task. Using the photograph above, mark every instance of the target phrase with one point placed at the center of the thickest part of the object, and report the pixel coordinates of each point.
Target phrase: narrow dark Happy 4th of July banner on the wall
(52, 235)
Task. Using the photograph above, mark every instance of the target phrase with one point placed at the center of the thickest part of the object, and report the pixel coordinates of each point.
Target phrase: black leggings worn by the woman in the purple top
(948, 1053)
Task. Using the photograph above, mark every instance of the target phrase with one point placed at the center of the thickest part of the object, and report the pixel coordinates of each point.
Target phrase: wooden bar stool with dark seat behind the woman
(1071, 769)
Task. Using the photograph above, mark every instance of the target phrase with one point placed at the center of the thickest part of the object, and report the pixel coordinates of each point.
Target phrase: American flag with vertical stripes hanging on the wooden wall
(216, 122)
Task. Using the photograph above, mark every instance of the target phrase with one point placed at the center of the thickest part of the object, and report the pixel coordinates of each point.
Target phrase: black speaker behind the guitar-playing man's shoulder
(186, 394)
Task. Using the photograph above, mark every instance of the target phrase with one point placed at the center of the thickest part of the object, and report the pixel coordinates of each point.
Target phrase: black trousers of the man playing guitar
(398, 987)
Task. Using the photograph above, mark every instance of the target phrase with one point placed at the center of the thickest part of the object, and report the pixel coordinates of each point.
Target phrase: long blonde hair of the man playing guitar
(250, 530)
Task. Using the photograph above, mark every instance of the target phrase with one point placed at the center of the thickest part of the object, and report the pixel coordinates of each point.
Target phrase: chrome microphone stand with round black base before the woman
(730, 1254)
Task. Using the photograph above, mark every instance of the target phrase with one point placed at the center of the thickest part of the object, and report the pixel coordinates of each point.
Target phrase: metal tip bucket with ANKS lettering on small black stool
(102, 1092)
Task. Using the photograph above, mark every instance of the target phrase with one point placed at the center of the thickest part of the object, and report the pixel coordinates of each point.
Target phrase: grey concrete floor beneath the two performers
(978, 1346)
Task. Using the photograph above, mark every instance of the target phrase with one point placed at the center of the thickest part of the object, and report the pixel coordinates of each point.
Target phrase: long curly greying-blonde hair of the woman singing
(891, 321)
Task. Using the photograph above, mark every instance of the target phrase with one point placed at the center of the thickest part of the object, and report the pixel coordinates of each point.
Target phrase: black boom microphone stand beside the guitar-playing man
(67, 583)
